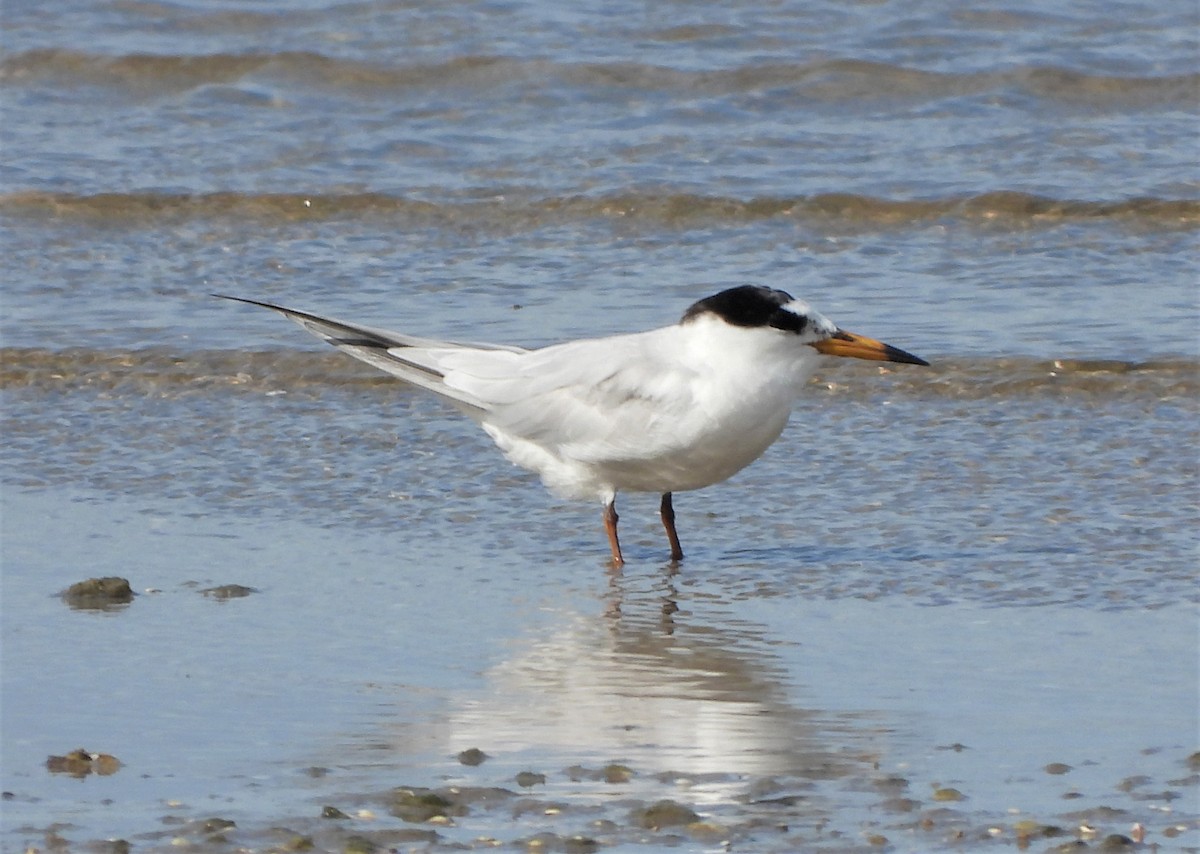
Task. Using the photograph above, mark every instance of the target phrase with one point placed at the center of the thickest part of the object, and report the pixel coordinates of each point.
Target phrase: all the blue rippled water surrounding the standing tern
(943, 579)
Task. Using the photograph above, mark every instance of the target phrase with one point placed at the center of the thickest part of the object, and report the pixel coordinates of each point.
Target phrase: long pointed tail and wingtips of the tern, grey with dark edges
(410, 358)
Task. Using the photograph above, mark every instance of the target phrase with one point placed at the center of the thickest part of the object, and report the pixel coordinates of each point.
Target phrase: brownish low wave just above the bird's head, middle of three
(665, 211)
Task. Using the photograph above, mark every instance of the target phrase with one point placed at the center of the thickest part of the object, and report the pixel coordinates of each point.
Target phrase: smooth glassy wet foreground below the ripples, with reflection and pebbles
(685, 708)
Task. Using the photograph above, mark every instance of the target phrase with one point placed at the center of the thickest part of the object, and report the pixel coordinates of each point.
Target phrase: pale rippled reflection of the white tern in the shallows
(646, 685)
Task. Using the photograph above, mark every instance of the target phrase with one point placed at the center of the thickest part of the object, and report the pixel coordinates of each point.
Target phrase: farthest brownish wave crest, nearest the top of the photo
(836, 81)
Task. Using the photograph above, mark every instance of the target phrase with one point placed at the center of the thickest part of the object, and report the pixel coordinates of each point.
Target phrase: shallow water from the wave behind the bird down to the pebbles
(1011, 555)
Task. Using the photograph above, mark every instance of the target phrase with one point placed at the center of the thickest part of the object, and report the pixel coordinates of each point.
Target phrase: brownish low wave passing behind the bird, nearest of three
(167, 374)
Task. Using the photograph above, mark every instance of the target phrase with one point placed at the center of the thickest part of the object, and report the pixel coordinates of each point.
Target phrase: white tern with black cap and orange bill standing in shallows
(670, 410)
